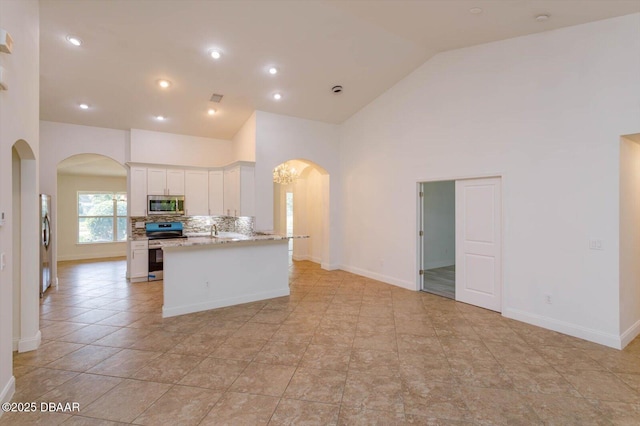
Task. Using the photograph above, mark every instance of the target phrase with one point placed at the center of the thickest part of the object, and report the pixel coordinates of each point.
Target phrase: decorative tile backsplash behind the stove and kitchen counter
(193, 224)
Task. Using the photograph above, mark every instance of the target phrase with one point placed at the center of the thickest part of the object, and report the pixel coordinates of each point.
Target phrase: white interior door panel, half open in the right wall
(479, 242)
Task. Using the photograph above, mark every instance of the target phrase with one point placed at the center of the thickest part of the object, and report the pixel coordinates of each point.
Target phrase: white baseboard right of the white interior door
(574, 330)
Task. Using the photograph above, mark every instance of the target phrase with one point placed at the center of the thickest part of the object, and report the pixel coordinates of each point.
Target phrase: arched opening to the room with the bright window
(90, 220)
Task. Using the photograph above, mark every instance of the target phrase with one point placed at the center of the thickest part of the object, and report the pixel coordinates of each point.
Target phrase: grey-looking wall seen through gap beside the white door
(439, 224)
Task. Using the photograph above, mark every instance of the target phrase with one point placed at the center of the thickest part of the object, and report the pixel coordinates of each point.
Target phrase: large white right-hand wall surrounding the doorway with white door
(545, 111)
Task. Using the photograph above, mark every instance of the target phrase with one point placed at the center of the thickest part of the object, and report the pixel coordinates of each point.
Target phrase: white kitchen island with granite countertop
(203, 272)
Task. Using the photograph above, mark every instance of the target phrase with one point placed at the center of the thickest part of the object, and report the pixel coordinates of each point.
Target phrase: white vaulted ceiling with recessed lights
(366, 46)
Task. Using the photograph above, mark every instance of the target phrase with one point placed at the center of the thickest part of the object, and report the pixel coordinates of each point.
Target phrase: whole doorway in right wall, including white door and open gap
(460, 240)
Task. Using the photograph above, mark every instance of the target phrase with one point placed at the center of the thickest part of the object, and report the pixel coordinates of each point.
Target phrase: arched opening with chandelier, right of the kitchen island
(302, 207)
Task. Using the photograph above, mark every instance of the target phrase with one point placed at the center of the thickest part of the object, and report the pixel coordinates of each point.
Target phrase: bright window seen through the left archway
(102, 217)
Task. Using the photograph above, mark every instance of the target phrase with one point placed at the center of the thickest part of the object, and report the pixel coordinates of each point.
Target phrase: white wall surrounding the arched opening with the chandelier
(280, 138)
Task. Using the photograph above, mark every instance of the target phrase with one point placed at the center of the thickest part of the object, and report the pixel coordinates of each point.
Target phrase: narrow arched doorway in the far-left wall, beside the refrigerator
(25, 248)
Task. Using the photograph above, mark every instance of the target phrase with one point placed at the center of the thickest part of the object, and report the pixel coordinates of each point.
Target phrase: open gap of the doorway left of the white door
(438, 238)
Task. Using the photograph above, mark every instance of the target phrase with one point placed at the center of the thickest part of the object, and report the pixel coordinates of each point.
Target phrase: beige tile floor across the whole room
(342, 349)
